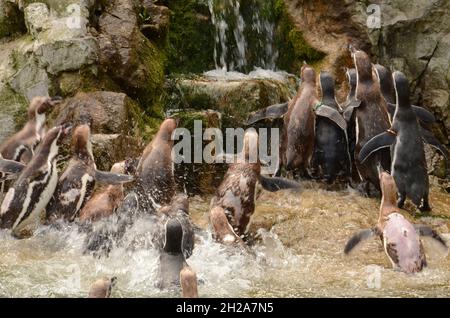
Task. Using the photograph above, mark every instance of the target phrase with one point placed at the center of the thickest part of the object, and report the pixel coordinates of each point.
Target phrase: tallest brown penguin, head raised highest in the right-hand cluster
(370, 118)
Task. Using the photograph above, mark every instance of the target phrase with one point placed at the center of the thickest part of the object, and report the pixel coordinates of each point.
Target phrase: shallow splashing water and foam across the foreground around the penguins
(298, 253)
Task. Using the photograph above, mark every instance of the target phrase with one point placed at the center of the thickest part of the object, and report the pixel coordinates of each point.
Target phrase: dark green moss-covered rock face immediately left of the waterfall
(191, 39)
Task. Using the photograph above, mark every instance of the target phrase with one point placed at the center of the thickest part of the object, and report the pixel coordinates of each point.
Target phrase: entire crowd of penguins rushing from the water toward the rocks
(377, 130)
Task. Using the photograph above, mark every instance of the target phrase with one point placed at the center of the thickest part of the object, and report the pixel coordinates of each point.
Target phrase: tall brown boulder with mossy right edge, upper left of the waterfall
(122, 44)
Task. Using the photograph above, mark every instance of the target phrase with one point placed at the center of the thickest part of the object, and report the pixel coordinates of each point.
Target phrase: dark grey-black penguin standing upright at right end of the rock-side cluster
(409, 166)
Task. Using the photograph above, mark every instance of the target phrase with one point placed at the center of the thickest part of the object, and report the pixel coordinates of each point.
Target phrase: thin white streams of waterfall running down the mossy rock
(242, 44)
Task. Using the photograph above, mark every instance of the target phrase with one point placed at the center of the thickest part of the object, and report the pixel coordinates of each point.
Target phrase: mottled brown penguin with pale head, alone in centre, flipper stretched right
(236, 194)
